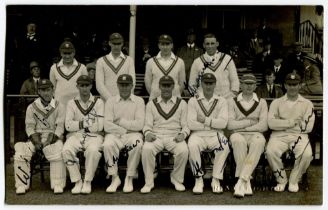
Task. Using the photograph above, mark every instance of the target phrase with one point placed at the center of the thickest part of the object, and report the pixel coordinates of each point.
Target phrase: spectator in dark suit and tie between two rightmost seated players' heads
(269, 89)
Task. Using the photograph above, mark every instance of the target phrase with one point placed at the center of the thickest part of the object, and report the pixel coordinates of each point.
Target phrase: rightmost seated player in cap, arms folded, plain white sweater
(290, 118)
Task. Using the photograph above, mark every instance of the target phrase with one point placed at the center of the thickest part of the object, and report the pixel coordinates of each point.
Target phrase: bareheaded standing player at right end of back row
(217, 63)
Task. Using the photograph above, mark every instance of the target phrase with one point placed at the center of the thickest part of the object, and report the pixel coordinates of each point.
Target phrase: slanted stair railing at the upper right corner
(310, 37)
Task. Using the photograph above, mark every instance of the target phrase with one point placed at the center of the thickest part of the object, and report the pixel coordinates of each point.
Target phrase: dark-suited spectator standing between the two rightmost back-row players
(189, 52)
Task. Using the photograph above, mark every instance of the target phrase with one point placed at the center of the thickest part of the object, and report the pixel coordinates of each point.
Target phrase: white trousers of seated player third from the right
(197, 144)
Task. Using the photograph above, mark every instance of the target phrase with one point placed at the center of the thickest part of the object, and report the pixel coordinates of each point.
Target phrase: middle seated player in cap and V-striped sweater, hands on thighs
(165, 128)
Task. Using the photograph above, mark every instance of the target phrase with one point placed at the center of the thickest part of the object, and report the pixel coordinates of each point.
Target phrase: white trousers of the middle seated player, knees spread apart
(151, 149)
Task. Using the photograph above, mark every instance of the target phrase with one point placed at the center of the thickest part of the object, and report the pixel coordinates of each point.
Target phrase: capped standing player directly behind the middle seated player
(163, 64)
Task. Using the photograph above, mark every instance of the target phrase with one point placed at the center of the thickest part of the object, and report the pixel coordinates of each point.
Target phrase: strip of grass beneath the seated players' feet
(163, 193)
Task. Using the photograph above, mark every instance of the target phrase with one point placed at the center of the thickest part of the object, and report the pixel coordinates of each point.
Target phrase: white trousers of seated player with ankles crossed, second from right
(247, 150)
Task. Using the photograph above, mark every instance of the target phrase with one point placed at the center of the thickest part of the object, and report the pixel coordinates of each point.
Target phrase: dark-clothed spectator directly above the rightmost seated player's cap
(295, 59)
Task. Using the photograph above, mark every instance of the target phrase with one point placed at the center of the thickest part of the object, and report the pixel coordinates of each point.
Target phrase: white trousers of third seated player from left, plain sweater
(130, 143)
